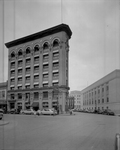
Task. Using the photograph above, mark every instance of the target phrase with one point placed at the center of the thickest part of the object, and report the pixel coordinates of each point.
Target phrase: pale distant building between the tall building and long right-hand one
(77, 98)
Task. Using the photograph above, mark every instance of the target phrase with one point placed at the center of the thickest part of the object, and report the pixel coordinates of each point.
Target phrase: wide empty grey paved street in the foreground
(81, 131)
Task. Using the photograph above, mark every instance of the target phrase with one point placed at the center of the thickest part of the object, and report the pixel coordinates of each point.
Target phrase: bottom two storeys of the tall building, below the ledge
(38, 99)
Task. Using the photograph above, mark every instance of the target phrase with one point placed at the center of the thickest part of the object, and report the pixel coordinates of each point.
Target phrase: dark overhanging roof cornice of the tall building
(55, 29)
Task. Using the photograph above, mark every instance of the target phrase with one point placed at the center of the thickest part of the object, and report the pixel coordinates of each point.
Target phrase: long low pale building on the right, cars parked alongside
(103, 94)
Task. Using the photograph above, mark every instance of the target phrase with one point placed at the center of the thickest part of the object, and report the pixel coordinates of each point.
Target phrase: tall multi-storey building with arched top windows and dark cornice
(38, 67)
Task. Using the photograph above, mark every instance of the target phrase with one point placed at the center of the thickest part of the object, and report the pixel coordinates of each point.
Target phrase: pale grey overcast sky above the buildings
(94, 44)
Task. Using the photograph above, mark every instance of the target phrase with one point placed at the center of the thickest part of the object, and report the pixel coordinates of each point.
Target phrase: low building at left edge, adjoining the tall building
(3, 95)
